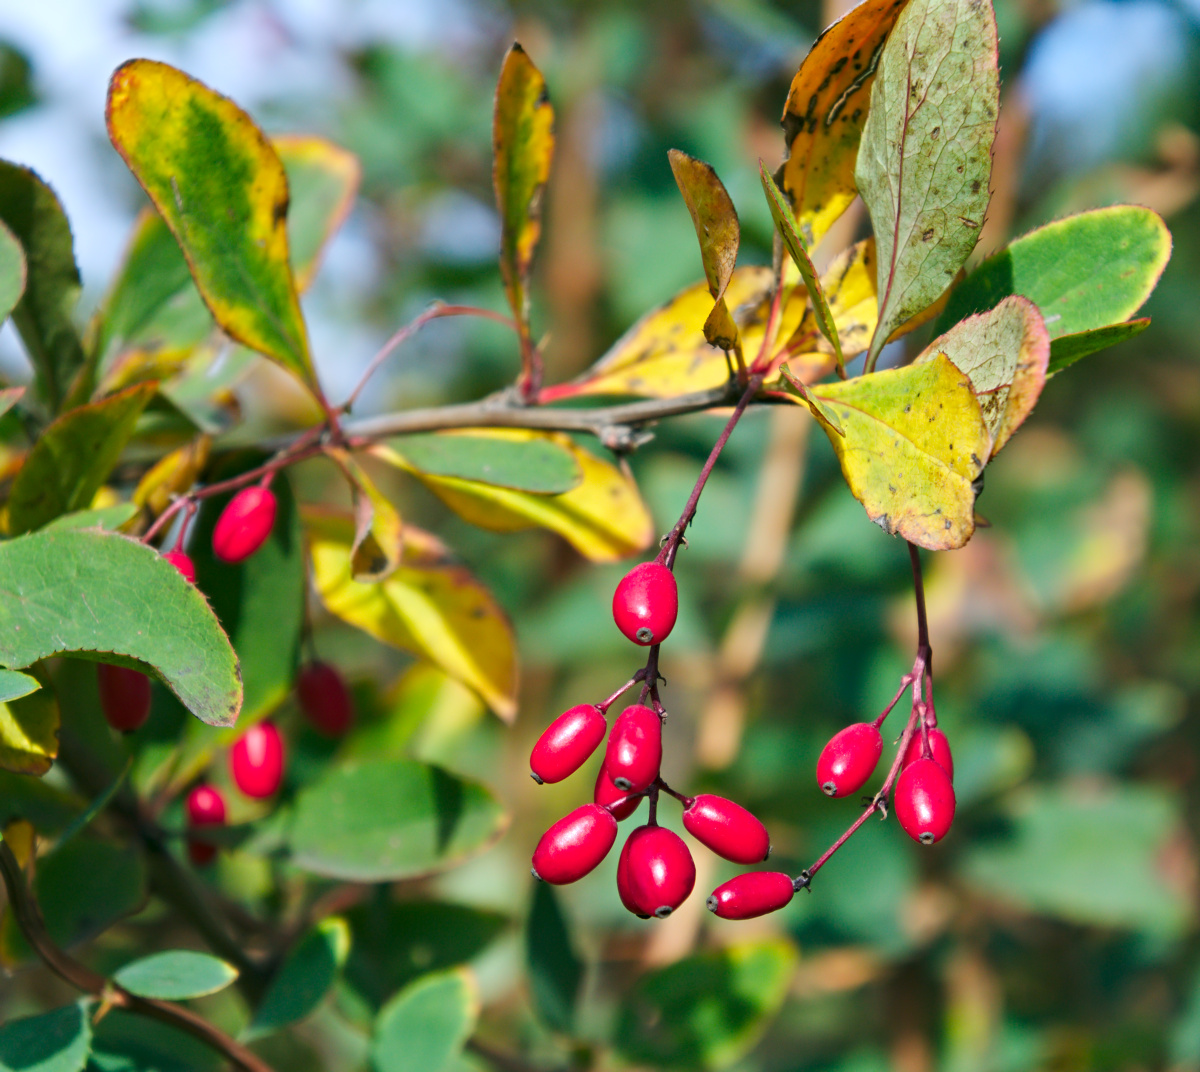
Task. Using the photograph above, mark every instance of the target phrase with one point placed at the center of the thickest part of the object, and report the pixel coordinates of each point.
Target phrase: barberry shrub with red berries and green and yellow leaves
(145, 536)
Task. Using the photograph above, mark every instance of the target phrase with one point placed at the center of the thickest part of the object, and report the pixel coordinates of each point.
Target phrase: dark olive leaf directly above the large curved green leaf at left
(74, 458)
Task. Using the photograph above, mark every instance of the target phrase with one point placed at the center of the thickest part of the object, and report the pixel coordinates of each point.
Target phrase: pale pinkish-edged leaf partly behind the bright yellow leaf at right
(1005, 352)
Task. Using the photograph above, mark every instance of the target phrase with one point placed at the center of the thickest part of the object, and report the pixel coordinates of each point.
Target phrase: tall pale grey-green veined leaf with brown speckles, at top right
(926, 158)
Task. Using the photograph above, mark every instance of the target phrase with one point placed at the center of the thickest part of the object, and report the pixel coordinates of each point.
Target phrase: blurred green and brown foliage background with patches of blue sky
(1057, 927)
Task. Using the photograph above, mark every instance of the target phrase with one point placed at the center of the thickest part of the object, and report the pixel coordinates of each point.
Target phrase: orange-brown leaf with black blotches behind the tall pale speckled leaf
(825, 115)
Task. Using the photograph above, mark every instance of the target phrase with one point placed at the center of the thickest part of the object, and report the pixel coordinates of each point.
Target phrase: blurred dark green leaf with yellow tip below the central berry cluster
(706, 1011)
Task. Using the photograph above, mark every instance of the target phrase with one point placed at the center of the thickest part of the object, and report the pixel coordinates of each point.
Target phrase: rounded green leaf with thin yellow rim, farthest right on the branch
(1083, 273)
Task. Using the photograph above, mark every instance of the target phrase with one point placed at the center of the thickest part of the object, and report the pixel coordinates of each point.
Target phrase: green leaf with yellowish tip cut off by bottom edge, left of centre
(427, 1025)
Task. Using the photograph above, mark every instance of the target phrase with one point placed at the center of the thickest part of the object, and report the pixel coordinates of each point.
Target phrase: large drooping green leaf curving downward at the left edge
(111, 598)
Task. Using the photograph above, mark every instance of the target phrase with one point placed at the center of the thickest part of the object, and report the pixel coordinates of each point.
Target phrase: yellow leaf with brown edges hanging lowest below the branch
(436, 610)
